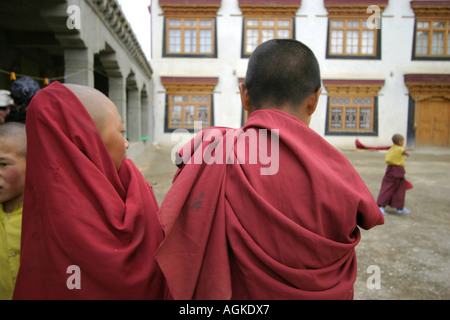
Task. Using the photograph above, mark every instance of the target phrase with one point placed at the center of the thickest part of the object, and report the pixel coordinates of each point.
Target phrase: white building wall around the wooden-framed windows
(397, 29)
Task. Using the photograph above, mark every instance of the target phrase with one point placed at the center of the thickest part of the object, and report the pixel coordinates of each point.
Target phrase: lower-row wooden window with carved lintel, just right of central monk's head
(351, 91)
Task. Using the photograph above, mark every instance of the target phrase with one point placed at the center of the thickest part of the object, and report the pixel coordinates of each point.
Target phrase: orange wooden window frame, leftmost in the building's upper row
(182, 28)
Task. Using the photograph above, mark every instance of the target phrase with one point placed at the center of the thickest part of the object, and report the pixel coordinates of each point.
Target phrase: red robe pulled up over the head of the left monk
(88, 232)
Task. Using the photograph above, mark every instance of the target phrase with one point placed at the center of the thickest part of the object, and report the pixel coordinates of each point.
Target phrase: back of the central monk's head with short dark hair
(282, 72)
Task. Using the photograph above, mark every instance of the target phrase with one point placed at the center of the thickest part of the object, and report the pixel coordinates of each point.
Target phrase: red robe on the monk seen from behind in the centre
(232, 232)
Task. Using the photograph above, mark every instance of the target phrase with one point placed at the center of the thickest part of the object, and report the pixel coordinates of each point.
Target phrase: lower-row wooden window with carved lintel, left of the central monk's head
(189, 88)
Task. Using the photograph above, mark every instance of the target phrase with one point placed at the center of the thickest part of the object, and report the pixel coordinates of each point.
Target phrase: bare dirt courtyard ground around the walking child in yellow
(411, 252)
